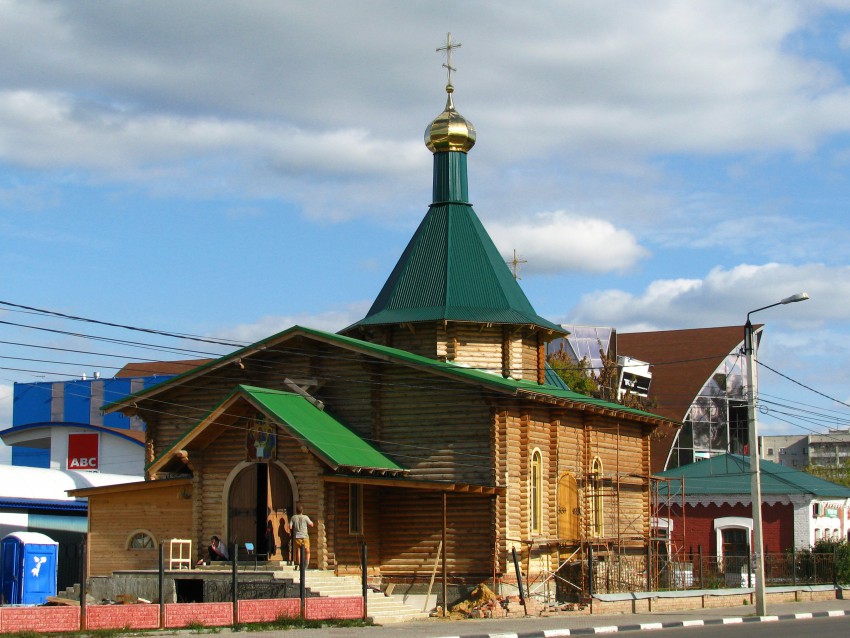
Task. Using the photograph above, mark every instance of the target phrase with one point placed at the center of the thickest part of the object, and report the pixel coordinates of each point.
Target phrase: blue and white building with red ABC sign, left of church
(62, 441)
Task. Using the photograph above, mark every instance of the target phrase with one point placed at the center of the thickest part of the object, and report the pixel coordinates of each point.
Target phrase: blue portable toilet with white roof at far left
(28, 568)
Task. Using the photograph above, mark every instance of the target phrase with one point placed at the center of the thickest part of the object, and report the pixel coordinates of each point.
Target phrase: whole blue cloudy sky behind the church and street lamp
(229, 169)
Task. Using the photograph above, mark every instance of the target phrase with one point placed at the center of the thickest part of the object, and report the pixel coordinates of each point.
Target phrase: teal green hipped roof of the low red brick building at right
(730, 474)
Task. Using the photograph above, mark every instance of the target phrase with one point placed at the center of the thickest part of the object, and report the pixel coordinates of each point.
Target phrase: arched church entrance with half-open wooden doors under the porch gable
(258, 498)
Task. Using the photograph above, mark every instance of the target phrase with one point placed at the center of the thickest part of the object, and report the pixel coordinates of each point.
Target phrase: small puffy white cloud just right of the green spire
(560, 241)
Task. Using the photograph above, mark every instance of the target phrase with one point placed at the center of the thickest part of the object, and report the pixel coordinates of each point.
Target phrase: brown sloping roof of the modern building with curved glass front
(681, 362)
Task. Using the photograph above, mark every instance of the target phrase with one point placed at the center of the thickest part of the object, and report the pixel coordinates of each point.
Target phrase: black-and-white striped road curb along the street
(677, 624)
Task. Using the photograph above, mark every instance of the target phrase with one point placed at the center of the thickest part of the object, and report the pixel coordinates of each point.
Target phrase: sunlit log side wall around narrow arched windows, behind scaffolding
(568, 442)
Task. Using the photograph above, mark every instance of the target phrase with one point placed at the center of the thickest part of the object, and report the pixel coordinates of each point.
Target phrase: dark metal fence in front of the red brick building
(612, 574)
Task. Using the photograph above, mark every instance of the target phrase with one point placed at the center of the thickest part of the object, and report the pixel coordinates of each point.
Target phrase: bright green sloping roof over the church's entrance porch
(327, 436)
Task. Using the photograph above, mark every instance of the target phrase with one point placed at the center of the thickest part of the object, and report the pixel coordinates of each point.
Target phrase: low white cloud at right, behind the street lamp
(806, 343)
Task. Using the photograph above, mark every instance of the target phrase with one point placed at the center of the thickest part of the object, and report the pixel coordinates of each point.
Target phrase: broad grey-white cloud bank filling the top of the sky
(132, 94)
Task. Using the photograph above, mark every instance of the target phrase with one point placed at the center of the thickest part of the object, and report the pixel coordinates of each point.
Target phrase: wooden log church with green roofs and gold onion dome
(430, 425)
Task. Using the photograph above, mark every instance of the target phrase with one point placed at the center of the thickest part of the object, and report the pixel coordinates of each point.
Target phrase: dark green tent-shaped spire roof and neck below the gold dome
(451, 270)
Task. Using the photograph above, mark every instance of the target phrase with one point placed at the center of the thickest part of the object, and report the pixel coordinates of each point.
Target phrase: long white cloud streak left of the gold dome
(52, 131)
